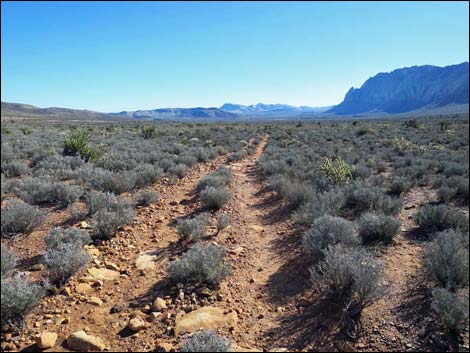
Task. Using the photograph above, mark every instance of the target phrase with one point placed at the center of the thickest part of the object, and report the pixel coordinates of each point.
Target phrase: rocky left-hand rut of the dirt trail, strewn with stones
(152, 231)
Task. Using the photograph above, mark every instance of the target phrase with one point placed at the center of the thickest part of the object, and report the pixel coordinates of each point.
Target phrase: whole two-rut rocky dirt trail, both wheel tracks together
(252, 252)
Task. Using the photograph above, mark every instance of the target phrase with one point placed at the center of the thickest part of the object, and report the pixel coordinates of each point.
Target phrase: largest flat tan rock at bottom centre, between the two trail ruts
(207, 318)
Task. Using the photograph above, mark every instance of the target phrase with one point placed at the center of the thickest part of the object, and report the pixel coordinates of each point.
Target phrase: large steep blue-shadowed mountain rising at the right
(413, 88)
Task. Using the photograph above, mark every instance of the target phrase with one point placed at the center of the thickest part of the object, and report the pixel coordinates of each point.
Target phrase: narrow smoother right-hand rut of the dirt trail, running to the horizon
(252, 243)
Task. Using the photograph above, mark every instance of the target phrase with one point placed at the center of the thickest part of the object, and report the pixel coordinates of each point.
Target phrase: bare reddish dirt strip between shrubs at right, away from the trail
(390, 323)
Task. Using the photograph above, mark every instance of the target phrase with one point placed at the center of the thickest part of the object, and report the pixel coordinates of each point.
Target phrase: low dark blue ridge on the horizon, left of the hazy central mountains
(178, 113)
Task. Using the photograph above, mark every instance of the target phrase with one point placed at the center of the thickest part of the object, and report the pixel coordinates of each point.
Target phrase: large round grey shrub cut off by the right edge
(445, 260)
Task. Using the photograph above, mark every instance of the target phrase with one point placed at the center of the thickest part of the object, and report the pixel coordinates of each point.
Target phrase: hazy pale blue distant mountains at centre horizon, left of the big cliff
(270, 110)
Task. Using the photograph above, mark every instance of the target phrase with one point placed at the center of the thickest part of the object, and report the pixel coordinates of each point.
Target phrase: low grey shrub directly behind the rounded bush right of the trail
(327, 203)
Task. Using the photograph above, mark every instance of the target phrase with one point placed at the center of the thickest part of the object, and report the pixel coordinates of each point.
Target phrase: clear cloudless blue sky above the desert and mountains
(109, 56)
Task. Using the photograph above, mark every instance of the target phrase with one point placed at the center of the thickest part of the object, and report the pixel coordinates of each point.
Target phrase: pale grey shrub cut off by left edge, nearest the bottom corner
(18, 297)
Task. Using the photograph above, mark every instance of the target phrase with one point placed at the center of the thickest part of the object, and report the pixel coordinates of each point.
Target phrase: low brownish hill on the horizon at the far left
(26, 111)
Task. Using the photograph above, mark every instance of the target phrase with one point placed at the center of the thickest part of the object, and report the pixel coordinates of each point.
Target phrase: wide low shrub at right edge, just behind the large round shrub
(435, 218)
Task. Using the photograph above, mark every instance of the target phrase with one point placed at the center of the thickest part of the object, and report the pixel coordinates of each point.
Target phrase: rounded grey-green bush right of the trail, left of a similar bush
(327, 231)
